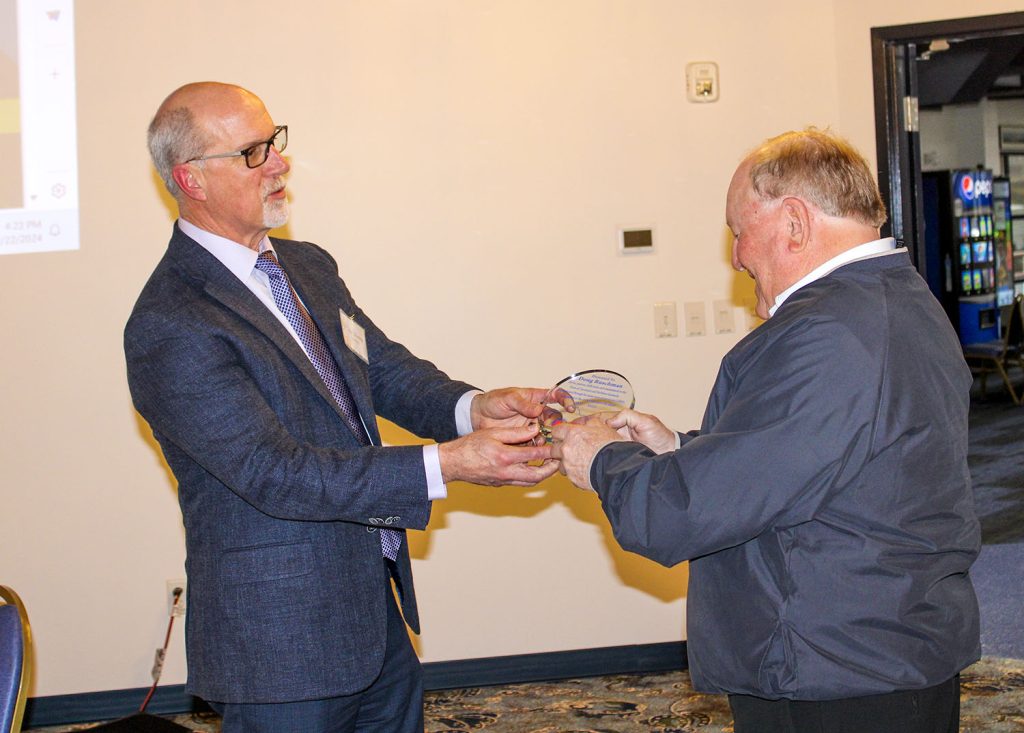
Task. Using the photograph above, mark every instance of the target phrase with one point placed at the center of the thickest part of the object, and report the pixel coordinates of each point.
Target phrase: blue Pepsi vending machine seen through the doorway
(960, 254)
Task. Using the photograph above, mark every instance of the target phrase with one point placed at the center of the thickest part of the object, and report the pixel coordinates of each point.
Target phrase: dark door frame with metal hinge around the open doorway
(894, 54)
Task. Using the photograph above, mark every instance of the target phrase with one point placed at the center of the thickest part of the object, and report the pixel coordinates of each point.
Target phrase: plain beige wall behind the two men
(470, 163)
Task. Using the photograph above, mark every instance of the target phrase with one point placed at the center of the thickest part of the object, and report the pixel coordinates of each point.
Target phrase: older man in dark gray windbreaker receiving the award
(826, 503)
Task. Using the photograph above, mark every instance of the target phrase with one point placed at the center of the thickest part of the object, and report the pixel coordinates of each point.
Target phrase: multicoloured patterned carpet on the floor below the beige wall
(993, 703)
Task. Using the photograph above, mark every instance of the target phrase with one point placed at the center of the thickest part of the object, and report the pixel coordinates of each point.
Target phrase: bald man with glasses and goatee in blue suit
(262, 379)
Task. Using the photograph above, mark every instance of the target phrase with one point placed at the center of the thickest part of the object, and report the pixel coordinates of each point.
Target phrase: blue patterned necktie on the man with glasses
(324, 363)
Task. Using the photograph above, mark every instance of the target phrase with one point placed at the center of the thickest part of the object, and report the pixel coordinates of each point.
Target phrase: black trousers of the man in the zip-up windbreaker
(934, 710)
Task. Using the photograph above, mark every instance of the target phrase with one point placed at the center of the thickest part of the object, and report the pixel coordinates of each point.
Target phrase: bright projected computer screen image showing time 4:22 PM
(39, 185)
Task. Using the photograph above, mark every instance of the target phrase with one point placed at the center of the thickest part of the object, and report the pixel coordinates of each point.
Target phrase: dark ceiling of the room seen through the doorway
(957, 71)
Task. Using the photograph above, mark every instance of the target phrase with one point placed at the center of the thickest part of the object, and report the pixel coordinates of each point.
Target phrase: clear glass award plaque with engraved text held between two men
(583, 395)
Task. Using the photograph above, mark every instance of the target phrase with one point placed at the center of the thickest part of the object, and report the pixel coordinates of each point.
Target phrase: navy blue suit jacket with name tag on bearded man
(280, 502)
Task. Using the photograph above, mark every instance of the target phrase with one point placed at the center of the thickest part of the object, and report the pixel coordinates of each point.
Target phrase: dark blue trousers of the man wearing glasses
(394, 703)
